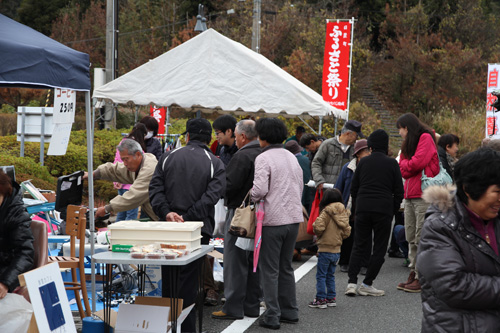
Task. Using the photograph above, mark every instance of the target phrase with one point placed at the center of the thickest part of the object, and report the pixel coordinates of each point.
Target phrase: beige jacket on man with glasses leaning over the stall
(138, 193)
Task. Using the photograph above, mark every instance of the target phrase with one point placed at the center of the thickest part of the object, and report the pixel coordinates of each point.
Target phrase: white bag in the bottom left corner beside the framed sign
(15, 313)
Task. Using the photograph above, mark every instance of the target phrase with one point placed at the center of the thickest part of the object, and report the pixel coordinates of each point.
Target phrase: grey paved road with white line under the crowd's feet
(397, 311)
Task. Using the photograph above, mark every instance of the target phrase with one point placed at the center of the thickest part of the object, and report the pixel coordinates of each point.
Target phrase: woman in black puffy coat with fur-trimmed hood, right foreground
(458, 255)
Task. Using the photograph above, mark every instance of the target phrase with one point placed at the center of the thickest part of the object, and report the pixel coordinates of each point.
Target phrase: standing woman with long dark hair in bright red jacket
(418, 152)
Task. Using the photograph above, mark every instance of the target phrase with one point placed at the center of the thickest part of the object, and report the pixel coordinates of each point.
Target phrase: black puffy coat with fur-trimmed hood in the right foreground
(459, 271)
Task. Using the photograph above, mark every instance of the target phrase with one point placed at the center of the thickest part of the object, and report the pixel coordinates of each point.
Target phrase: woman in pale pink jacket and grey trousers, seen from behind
(278, 182)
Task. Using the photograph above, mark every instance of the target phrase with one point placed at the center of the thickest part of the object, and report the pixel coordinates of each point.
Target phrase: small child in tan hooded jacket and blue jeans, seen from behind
(331, 227)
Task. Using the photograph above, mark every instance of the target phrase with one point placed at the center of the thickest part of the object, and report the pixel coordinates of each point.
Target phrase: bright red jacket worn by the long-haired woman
(411, 169)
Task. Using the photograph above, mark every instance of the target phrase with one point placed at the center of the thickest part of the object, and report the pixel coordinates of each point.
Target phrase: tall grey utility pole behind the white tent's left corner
(111, 56)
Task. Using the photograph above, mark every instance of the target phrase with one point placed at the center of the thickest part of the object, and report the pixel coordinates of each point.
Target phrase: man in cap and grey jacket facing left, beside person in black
(334, 153)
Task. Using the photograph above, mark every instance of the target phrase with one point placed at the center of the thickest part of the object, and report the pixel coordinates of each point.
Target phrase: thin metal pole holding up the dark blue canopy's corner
(90, 168)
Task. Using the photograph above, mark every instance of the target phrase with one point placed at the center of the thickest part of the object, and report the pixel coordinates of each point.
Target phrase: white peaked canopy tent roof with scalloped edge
(211, 72)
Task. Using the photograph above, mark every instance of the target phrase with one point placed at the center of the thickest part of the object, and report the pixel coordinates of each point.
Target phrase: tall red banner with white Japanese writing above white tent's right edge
(336, 64)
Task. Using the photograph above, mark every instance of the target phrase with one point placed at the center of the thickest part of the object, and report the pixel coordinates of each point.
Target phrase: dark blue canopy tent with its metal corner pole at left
(29, 59)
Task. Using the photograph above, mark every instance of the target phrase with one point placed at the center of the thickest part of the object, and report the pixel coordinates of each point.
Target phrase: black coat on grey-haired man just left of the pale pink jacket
(239, 174)
